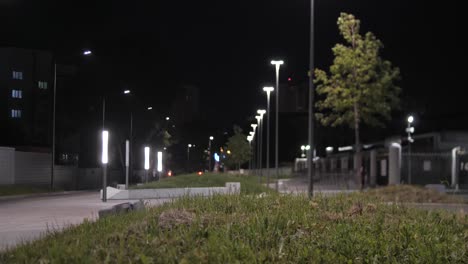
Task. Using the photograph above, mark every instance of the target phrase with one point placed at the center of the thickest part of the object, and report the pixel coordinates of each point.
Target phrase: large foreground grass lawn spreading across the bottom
(260, 229)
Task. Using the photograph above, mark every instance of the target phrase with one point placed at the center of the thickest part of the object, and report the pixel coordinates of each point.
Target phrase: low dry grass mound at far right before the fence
(411, 194)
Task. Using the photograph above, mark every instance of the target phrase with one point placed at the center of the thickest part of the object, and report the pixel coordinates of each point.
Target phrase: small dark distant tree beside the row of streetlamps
(238, 149)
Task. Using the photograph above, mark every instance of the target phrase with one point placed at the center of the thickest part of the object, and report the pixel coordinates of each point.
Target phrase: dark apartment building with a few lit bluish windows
(26, 82)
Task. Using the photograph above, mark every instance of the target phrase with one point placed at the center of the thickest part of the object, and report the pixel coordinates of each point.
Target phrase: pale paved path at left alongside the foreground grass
(27, 219)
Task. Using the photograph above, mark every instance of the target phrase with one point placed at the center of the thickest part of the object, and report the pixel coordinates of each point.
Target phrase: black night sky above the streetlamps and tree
(224, 47)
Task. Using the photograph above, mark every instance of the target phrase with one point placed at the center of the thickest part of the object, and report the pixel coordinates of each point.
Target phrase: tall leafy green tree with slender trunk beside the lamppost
(360, 88)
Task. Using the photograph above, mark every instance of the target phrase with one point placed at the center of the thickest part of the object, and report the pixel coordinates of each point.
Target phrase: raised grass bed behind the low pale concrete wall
(249, 184)
